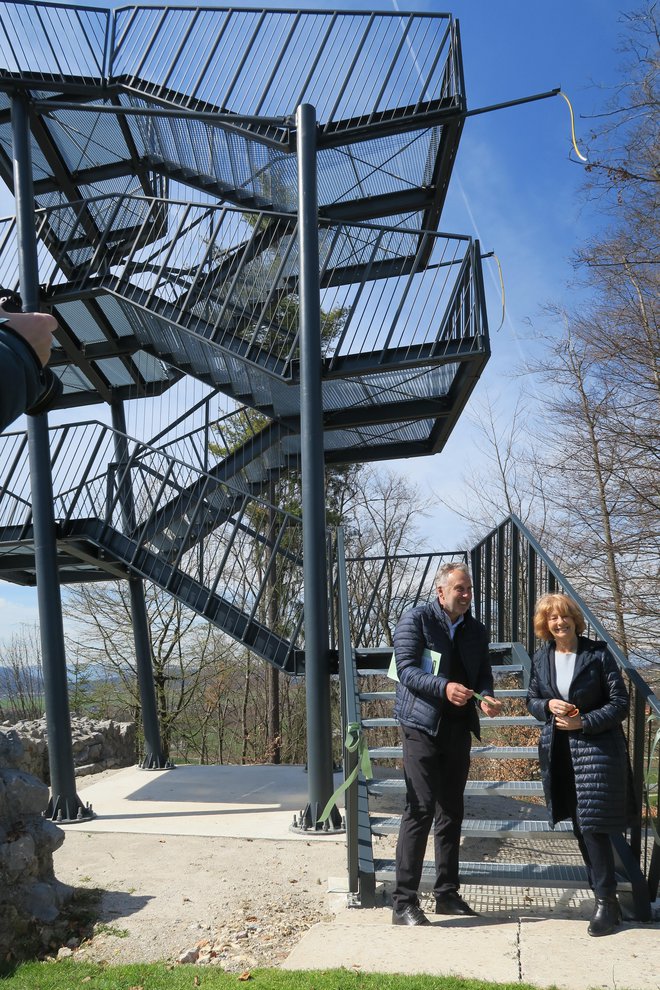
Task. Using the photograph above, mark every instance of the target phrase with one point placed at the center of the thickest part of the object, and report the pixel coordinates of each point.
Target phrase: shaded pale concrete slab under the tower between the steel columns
(231, 801)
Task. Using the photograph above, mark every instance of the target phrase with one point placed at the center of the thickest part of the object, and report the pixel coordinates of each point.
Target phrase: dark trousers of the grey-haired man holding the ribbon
(435, 770)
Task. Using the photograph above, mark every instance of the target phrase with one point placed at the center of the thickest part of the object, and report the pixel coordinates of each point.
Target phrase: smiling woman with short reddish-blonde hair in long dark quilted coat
(577, 690)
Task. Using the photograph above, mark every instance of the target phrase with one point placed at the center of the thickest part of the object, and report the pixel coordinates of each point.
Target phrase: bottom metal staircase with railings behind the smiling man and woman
(501, 767)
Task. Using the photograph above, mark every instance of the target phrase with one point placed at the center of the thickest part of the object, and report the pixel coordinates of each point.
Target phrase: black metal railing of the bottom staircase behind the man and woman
(510, 570)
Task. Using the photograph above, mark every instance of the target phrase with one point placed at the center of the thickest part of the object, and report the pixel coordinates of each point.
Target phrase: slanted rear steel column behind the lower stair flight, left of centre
(154, 758)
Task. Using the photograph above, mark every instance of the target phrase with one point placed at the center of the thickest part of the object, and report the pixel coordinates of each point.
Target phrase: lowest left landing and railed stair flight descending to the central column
(225, 554)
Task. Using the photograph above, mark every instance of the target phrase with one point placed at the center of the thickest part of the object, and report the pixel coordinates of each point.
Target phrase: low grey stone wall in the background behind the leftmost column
(97, 746)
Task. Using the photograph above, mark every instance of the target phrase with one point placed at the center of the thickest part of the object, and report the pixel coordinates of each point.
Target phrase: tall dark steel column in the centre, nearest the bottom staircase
(317, 658)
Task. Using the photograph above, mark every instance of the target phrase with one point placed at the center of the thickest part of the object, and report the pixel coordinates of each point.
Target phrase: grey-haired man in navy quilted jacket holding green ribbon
(437, 712)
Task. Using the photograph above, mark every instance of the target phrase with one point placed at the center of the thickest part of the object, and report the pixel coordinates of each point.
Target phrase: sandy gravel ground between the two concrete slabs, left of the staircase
(239, 903)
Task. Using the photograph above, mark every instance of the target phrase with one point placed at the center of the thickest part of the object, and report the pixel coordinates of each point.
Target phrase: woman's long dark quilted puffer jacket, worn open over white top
(603, 779)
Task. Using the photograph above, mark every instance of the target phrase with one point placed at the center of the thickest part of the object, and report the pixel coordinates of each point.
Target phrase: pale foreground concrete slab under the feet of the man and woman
(531, 950)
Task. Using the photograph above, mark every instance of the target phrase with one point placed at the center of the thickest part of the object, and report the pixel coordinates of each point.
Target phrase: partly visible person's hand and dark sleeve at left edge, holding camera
(26, 385)
